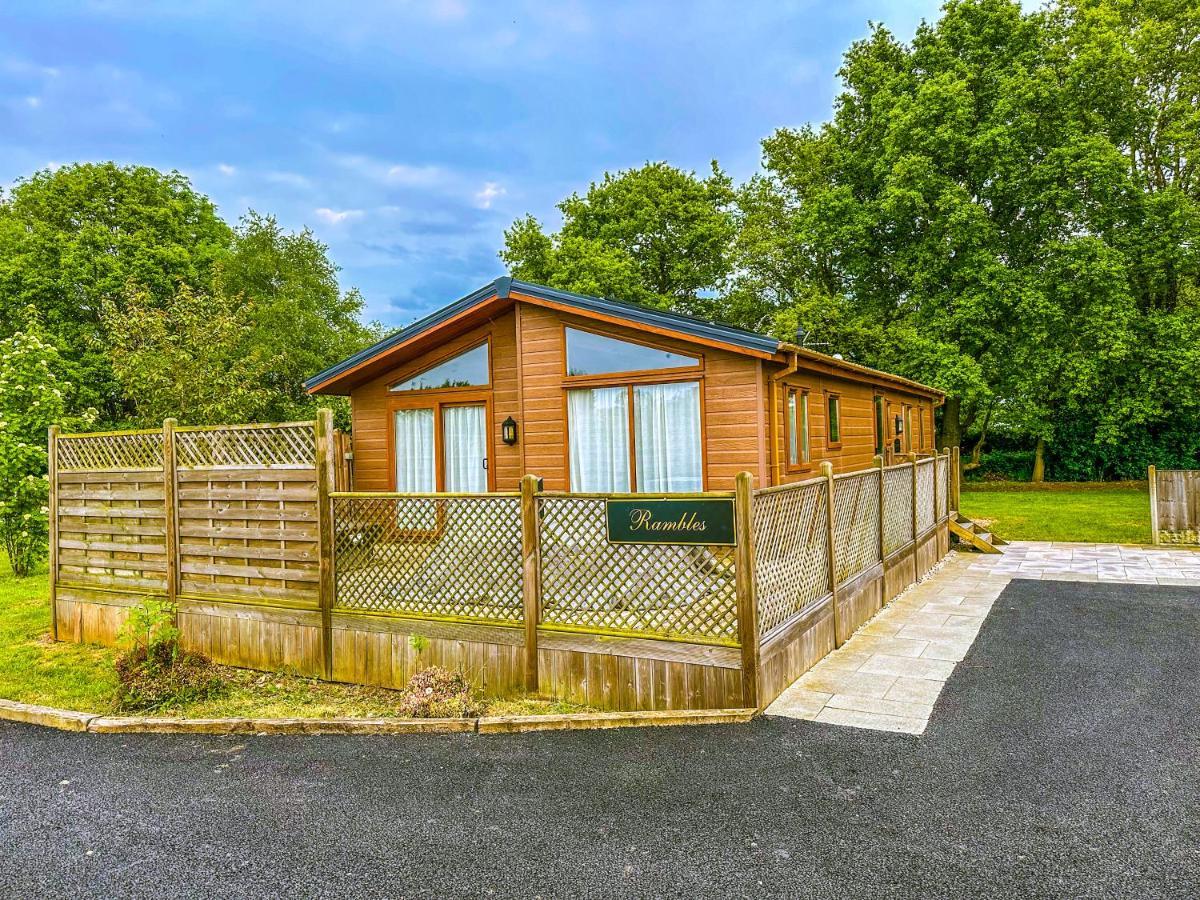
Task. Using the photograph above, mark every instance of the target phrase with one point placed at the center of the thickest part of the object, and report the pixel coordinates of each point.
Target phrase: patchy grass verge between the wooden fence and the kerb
(35, 670)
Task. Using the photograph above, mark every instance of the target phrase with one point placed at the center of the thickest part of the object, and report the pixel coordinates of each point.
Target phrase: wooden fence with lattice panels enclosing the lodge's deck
(273, 567)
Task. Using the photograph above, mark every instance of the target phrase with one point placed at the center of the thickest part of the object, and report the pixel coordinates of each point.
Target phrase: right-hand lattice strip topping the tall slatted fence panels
(267, 446)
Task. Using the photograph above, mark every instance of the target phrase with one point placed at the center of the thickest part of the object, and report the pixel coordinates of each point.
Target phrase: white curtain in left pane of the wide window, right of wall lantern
(598, 435)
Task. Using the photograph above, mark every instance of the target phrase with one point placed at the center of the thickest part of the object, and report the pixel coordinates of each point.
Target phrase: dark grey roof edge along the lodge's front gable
(502, 289)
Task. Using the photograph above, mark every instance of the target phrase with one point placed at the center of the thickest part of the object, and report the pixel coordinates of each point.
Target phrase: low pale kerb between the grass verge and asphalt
(95, 723)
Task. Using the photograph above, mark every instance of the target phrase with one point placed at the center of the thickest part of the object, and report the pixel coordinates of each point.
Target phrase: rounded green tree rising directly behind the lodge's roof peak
(657, 236)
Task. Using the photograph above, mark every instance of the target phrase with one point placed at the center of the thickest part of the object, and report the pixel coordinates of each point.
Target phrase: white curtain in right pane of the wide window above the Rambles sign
(667, 423)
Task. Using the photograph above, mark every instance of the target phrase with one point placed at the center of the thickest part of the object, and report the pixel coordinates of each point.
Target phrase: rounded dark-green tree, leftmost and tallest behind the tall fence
(71, 239)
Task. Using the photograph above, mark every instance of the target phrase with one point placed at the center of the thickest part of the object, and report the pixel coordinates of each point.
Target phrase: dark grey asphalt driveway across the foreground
(1061, 760)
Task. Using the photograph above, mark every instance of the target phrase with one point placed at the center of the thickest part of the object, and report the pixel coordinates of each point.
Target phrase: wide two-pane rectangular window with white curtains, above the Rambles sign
(658, 452)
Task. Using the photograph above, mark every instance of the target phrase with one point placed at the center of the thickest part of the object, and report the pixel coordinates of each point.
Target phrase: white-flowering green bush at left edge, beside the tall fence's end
(32, 399)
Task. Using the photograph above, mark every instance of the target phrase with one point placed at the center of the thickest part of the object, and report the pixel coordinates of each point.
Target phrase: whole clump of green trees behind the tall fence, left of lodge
(122, 263)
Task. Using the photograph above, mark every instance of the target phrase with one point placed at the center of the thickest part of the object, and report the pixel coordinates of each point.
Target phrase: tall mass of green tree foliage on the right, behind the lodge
(1004, 208)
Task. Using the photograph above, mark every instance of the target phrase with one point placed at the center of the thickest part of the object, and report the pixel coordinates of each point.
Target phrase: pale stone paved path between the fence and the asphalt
(891, 673)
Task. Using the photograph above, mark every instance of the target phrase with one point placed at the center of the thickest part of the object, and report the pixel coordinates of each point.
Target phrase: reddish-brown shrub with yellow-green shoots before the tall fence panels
(153, 671)
